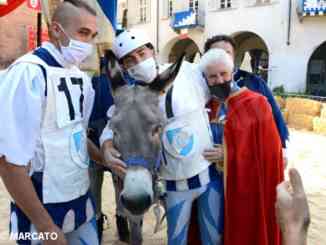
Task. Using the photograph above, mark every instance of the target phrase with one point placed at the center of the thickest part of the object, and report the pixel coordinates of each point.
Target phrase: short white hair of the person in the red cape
(216, 56)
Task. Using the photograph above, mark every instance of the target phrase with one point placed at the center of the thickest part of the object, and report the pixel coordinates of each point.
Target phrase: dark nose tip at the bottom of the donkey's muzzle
(136, 205)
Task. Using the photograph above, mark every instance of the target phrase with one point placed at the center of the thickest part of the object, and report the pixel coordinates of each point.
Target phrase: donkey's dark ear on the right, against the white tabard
(167, 77)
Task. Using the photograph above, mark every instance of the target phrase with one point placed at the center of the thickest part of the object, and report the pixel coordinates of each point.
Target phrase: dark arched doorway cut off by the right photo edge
(316, 76)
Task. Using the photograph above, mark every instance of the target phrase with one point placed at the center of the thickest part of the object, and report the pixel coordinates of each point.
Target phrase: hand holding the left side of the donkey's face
(111, 159)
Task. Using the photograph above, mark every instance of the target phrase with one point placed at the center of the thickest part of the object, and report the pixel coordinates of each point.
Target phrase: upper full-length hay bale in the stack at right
(303, 106)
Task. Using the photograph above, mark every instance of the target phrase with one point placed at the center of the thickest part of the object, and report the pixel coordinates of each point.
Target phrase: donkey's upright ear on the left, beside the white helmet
(113, 71)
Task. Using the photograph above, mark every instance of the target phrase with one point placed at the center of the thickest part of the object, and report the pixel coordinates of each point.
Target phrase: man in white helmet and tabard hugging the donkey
(188, 172)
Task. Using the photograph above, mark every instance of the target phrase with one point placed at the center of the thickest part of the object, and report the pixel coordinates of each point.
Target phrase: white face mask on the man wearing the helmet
(145, 71)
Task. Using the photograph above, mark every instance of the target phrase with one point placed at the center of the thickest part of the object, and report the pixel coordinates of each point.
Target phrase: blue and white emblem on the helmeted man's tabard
(181, 141)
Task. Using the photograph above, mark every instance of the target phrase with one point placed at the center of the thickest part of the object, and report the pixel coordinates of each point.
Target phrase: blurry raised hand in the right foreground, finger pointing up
(292, 210)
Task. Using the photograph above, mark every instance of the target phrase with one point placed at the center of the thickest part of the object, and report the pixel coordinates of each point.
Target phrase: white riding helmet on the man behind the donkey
(128, 41)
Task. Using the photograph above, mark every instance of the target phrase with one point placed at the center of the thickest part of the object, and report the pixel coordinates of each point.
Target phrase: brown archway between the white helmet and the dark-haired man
(187, 46)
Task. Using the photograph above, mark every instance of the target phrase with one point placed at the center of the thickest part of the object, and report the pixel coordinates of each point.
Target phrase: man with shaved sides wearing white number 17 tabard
(47, 101)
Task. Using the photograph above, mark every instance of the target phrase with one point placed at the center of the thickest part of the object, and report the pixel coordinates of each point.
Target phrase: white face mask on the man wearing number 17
(76, 51)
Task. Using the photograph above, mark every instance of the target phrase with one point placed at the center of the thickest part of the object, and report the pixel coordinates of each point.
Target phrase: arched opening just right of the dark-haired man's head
(252, 53)
